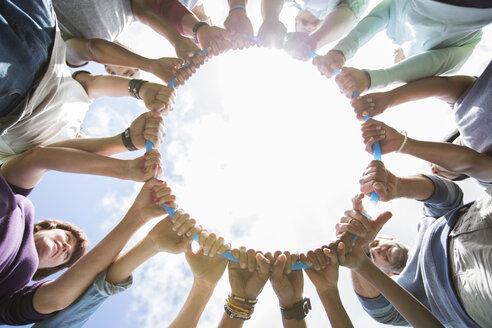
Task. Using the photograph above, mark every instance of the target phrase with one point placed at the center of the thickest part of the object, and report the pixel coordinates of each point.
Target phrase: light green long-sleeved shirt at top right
(439, 37)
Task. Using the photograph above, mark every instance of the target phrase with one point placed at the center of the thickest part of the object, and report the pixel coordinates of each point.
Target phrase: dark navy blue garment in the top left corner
(27, 32)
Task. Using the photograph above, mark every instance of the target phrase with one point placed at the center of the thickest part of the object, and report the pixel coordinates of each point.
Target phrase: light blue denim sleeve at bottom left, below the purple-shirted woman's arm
(77, 314)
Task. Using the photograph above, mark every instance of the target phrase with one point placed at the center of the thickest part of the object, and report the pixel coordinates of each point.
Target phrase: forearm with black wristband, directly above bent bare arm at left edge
(106, 146)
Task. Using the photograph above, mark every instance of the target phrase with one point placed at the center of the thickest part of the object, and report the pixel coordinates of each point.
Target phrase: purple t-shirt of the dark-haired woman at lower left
(18, 257)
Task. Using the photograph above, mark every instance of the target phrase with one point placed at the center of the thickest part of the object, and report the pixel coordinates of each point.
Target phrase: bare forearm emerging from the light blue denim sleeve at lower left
(124, 265)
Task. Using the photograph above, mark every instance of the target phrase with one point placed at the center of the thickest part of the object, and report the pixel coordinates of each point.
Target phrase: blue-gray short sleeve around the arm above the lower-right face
(446, 197)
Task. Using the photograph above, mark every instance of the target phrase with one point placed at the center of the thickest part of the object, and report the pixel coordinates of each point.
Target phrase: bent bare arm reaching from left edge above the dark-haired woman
(26, 171)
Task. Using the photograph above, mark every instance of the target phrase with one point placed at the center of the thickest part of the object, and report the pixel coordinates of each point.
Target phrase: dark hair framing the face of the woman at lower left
(79, 249)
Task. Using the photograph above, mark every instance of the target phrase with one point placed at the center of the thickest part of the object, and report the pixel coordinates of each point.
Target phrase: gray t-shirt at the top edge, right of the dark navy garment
(93, 19)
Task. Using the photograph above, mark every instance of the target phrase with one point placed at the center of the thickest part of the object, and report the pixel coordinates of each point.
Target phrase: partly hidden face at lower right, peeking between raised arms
(388, 255)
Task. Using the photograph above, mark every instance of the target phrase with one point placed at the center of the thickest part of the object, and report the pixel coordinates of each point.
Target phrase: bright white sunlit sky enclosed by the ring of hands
(273, 152)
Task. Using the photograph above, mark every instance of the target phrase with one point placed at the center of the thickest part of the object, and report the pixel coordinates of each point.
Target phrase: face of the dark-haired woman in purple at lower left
(54, 247)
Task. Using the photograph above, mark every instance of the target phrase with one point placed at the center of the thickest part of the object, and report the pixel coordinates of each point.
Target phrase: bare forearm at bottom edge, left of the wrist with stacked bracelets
(193, 307)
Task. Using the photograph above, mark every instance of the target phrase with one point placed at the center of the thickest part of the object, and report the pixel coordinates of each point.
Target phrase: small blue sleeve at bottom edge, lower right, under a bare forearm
(382, 311)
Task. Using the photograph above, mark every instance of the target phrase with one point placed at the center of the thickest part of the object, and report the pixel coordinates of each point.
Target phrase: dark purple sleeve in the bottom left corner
(18, 309)
